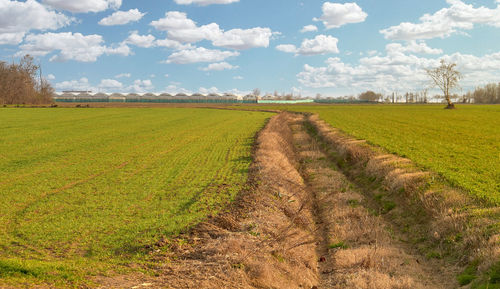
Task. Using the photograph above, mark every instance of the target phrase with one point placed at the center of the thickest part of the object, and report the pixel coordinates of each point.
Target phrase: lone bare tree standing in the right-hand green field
(446, 77)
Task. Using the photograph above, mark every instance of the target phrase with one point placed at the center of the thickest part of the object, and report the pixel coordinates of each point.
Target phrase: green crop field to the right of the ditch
(462, 145)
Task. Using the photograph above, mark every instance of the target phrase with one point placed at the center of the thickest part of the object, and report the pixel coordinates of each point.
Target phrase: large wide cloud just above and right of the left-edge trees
(79, 47)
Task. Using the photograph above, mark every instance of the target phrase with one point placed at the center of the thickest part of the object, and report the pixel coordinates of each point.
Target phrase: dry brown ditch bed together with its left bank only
(302, 223)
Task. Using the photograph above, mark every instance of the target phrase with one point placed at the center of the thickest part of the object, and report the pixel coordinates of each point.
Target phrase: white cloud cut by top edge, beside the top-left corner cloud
(84, 6)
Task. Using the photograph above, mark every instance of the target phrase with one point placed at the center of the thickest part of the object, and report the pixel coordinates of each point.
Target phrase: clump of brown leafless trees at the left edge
(20, 83)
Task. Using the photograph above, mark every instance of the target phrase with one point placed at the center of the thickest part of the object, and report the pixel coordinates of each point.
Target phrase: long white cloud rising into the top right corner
(445, 22)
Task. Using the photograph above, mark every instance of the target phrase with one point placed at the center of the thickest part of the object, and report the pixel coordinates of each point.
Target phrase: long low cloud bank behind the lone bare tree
(397, 70)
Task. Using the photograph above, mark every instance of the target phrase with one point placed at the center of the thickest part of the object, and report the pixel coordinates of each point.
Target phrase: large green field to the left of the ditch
(85, 190)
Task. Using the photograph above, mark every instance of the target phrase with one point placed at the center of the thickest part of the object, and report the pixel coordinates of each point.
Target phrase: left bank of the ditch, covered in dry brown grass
(265, 240)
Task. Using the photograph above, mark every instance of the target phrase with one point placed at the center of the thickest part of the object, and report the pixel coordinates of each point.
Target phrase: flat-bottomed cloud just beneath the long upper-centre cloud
(200, 54)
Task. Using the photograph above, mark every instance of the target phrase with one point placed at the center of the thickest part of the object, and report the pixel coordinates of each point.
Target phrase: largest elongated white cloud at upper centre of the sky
(182, 29)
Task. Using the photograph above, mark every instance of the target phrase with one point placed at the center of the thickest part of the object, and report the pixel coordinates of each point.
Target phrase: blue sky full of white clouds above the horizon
(304, 47)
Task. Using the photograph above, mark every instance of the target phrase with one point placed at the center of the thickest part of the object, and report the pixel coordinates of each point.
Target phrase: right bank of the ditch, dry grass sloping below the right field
(437, 212)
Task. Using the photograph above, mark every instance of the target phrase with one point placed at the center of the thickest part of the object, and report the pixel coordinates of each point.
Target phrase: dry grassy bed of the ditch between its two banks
(360, 248)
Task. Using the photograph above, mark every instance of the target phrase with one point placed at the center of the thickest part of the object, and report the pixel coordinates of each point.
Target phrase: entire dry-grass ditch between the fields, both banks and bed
(305, 224)
